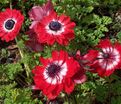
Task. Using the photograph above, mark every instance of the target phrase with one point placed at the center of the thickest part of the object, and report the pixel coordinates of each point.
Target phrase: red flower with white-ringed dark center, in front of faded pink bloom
(54, 28)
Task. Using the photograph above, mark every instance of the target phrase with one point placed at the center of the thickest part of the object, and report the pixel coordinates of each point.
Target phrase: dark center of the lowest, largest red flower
(53, 69)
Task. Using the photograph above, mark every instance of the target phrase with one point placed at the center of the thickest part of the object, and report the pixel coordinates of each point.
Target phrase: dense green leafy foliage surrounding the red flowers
(95, 19)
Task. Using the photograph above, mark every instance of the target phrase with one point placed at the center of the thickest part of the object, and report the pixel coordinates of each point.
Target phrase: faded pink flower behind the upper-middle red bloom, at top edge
(37, 12)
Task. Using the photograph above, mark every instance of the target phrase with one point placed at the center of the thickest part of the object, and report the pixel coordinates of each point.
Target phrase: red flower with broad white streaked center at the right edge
(106, 59)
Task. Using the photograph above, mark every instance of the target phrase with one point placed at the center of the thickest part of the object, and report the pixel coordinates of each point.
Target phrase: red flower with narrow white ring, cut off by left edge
(10, 24)
